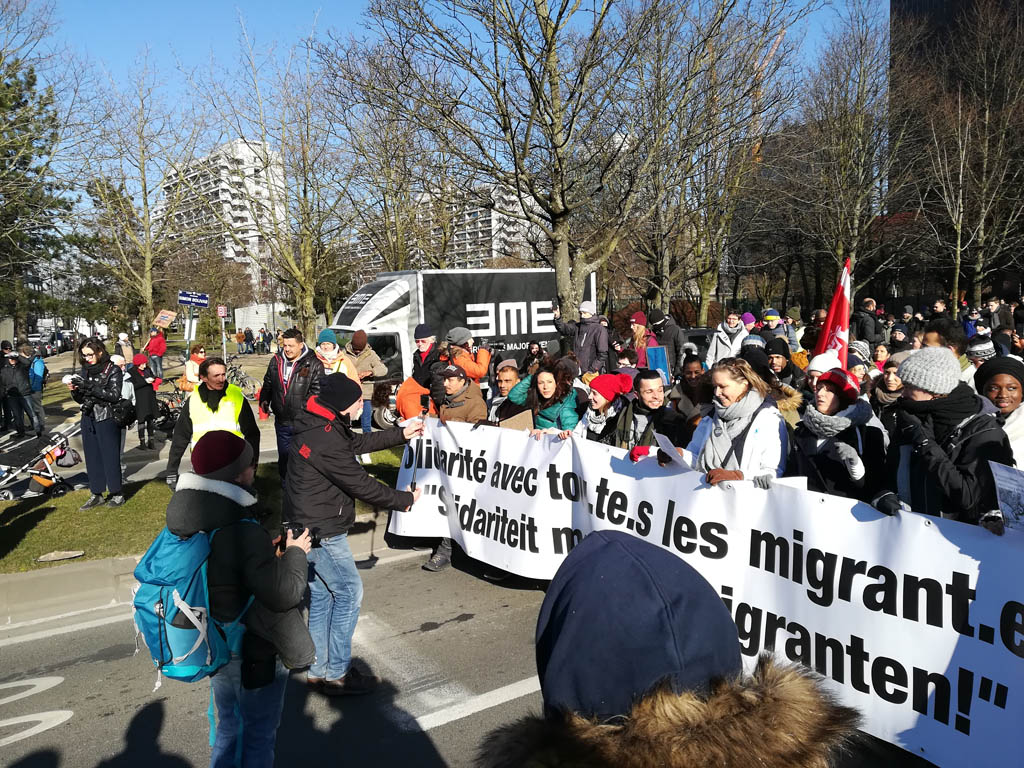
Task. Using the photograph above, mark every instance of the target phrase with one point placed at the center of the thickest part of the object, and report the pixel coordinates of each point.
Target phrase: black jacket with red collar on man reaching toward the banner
(324, 478)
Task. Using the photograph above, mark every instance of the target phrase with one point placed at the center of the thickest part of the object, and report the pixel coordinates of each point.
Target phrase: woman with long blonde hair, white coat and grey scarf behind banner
(745, 438)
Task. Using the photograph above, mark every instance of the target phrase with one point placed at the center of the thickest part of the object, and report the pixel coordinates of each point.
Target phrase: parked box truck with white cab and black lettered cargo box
(508, 309)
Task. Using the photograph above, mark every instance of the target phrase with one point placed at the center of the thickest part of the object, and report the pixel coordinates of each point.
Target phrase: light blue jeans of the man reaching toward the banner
(335, 595)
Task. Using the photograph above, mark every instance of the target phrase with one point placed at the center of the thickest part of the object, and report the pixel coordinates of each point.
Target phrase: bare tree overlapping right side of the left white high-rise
(277, 105)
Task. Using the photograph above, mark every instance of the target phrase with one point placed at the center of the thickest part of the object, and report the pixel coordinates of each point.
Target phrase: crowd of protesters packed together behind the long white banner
(925, 401)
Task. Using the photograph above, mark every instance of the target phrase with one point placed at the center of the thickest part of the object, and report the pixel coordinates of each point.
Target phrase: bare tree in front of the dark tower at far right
(972, 193)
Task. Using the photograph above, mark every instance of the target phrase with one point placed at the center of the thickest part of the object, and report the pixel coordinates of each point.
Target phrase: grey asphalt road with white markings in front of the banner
(455, 653)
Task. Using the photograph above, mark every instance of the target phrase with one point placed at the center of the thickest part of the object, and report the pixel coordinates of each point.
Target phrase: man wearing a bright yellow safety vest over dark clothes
(214, 405)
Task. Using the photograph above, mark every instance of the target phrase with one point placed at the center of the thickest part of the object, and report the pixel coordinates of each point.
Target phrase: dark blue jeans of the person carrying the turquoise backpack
(249, 716)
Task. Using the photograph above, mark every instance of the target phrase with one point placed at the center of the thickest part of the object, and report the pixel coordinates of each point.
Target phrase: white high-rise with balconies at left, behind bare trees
(226, 199)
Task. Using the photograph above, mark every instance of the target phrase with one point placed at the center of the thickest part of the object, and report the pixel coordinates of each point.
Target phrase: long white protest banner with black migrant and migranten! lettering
(917, 622)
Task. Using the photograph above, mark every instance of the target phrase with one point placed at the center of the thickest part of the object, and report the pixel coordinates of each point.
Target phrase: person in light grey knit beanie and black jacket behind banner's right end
(946, 437)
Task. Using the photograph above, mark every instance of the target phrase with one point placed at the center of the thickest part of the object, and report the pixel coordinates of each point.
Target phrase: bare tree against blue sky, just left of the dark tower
(858, 169)
